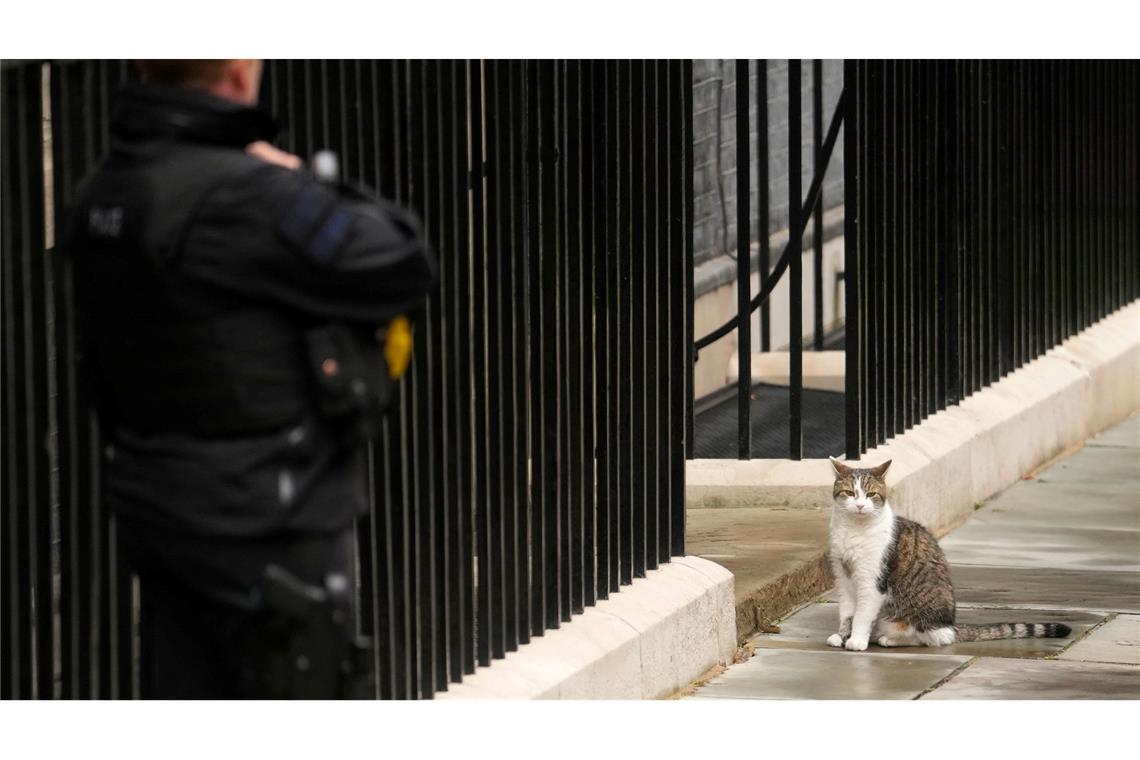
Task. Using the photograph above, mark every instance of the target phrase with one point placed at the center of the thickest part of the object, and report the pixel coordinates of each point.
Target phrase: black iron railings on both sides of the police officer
(536, 461)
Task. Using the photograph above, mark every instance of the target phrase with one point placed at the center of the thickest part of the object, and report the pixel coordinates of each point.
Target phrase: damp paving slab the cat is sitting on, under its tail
(810, 628)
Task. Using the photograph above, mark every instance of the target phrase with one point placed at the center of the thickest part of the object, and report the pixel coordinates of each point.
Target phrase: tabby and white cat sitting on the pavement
(892, 577)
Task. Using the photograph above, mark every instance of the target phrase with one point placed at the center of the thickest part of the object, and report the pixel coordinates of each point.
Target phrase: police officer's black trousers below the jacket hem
(205, 632)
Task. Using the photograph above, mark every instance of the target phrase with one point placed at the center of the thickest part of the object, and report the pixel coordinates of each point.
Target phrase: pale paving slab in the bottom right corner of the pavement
(995, 679)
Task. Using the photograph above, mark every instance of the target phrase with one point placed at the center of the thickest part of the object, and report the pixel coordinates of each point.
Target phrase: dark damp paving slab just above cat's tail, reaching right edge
(1048, 590)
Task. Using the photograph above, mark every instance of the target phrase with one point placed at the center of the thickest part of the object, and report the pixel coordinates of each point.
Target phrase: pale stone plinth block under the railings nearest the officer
(647, 642)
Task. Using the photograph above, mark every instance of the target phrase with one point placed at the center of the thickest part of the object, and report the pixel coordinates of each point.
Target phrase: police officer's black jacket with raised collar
(199, 271)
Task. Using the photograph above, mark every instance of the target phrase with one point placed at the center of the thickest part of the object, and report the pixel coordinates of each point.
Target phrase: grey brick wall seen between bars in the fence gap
(715, 220)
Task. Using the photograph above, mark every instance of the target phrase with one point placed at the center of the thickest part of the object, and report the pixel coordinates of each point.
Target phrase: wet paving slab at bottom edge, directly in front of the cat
(789, 675)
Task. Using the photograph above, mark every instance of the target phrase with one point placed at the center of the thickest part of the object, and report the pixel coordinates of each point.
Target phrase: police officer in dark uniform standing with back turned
(234, 313)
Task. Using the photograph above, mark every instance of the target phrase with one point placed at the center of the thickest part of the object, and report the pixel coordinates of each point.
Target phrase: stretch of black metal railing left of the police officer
(68, 615)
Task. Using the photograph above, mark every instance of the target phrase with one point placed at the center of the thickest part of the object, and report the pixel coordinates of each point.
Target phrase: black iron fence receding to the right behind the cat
(992, 213)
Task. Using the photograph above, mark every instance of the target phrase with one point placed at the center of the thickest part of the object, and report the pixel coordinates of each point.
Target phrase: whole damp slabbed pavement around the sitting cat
(1062, 545)
